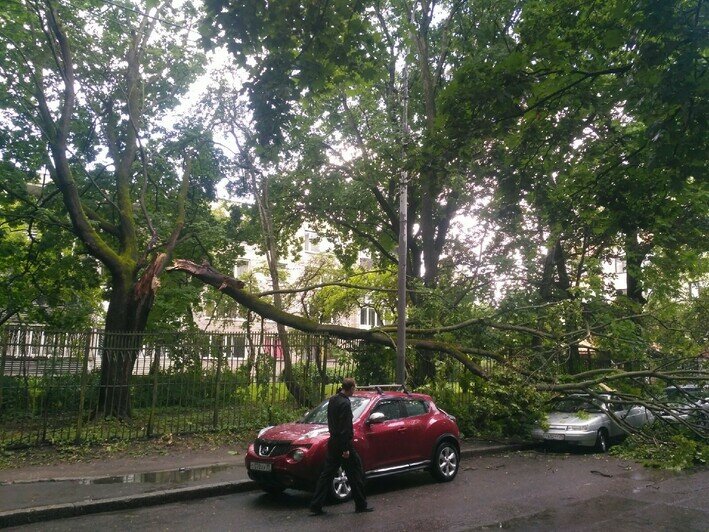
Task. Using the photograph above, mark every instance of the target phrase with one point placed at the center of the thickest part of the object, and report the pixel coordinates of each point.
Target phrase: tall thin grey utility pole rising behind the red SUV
(403, 230)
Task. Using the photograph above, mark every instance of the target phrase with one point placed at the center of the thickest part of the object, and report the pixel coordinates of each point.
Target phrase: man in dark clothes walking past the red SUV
(341, 452)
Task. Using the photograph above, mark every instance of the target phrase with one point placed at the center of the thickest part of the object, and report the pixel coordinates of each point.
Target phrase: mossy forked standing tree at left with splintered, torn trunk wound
(53, 60)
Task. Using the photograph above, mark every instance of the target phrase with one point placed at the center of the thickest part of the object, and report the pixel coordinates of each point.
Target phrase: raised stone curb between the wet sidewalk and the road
(38, 514)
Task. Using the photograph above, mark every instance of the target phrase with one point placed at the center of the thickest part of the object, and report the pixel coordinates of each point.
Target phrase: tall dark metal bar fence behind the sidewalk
(65, 386)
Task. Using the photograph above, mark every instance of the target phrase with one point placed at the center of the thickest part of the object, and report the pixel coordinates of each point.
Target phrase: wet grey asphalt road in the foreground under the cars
(518, 491)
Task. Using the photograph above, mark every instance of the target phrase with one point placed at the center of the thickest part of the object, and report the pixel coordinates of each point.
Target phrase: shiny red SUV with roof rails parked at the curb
(394, 432)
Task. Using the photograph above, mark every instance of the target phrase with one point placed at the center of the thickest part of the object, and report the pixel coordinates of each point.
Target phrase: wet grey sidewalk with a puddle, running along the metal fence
(42, 493)
